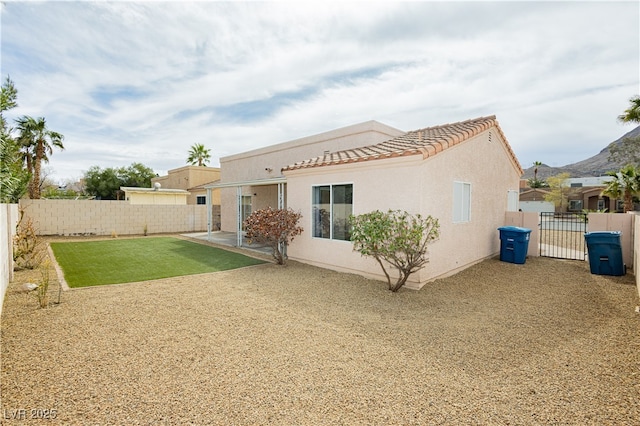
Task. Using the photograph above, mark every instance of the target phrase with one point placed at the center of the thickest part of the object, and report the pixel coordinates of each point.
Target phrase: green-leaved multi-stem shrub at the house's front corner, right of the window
(397, 238)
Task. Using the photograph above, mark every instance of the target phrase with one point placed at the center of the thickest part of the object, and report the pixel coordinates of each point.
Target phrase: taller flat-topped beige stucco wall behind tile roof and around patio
(253, 165)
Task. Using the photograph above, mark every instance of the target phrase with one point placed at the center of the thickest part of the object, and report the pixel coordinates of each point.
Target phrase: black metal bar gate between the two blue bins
(562, 235)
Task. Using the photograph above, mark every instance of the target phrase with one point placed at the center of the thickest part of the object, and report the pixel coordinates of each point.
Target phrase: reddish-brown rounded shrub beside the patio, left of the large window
(276, 228)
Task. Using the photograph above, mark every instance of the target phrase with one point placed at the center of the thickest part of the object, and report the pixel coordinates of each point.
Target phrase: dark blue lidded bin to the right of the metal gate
(605, 253)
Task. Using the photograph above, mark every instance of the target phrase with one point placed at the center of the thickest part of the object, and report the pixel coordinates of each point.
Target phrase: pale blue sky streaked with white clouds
(143, 81)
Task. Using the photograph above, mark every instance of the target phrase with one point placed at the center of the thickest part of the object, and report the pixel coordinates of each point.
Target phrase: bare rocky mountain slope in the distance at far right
(597, 165)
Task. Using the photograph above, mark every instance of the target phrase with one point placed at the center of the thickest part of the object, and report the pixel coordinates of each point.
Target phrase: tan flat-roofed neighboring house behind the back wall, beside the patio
(192, 179)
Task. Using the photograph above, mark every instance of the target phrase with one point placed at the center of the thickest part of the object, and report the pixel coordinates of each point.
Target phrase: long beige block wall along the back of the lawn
(90, 217)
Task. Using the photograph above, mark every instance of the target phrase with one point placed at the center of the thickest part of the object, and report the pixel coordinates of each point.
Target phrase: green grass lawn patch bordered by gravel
(90, 263)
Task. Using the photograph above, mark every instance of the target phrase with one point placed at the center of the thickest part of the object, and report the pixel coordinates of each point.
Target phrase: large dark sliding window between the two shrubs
(332, 205)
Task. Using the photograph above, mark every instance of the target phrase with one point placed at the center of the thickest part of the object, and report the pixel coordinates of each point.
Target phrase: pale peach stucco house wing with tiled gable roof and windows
(464, 174)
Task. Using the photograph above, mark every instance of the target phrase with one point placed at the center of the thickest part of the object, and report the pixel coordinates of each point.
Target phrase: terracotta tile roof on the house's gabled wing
(426, 142)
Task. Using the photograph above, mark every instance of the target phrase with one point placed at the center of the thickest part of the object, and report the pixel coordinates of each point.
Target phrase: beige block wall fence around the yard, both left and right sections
(81, 217)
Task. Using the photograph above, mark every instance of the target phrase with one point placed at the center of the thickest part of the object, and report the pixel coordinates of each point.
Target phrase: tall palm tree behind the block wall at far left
(37, 142)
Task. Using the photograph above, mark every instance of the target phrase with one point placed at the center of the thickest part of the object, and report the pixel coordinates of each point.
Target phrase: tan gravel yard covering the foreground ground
(497, 344)
